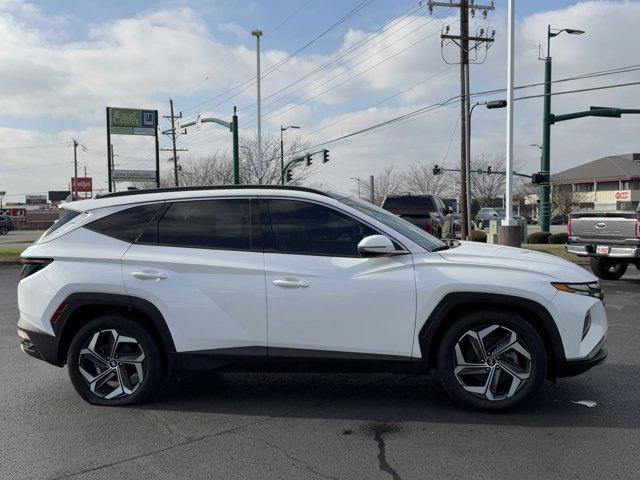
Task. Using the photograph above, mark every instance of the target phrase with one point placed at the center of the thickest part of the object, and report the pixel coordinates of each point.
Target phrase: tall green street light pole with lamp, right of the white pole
(545, 160)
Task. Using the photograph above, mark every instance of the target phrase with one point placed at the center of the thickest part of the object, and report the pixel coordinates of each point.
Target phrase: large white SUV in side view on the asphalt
(130, 286)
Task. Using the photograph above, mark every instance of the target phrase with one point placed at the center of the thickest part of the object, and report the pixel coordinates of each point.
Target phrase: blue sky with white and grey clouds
(62, 62)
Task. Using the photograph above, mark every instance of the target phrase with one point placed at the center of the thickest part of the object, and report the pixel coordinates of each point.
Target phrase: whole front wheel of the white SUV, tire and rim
(491, 361)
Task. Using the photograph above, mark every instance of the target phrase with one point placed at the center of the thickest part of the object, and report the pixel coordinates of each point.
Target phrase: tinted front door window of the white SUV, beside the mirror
(309, 229)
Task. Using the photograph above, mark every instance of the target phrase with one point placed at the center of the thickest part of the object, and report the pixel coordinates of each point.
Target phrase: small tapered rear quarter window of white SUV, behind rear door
(126, 224)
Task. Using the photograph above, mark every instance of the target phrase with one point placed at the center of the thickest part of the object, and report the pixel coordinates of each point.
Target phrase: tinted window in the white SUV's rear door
(224, 224)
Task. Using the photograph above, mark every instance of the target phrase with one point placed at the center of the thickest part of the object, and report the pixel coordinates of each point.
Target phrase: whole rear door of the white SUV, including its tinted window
(201, 264)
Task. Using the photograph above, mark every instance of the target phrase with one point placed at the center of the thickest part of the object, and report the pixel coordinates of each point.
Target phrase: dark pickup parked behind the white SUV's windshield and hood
(424, 211)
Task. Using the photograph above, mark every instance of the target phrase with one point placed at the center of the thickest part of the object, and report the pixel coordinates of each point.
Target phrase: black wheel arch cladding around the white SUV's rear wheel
(82, 307)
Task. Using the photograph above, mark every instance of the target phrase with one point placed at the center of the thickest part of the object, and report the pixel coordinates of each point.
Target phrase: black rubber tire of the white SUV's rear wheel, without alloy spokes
(153, 366)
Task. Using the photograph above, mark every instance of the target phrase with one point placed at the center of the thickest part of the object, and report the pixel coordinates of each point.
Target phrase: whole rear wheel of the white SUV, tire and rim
(113, 360)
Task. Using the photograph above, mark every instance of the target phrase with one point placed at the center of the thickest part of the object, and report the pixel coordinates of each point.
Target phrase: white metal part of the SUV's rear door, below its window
(210, 299)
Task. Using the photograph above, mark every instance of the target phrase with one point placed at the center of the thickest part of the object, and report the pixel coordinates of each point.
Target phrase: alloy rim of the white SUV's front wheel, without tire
(491, 362)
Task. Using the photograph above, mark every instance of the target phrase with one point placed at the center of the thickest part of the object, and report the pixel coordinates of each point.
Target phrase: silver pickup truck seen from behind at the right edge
(610, 239)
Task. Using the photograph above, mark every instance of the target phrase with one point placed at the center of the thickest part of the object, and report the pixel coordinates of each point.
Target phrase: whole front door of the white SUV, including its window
(322, 295)
